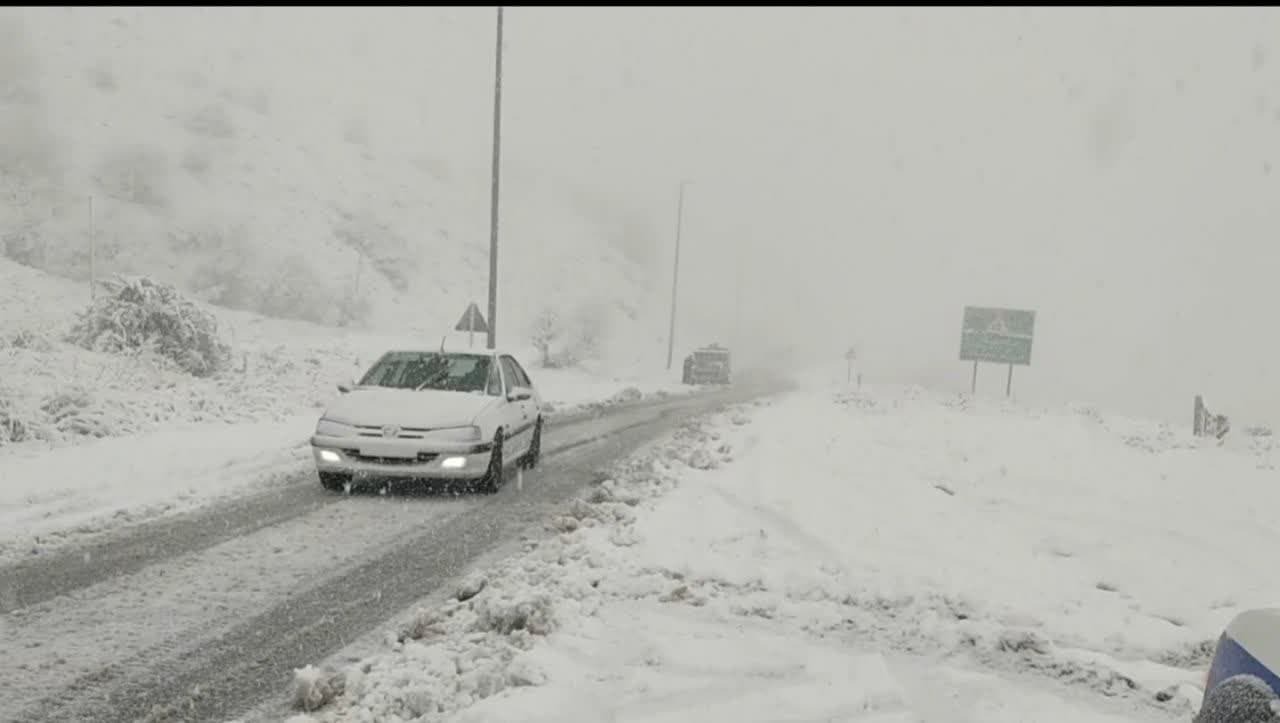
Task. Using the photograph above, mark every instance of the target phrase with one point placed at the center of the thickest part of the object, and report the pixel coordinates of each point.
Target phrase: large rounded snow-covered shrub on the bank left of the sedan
(139, 314)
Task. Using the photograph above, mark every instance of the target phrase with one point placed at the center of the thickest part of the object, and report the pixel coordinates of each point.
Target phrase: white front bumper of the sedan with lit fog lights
(401, 459)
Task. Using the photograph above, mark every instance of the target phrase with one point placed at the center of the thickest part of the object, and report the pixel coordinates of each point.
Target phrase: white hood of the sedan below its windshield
(408, 409)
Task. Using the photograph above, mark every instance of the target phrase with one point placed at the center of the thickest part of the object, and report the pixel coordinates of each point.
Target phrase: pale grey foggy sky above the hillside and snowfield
(875, 171)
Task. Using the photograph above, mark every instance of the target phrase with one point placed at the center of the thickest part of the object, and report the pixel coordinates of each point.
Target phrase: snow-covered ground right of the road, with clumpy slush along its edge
(880, 556)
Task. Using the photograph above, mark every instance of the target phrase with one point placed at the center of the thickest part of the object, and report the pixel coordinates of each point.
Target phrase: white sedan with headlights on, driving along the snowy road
(432, 415)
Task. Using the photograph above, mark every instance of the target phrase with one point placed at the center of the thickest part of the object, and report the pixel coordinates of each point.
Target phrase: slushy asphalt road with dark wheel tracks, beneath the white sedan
(199, 617)
